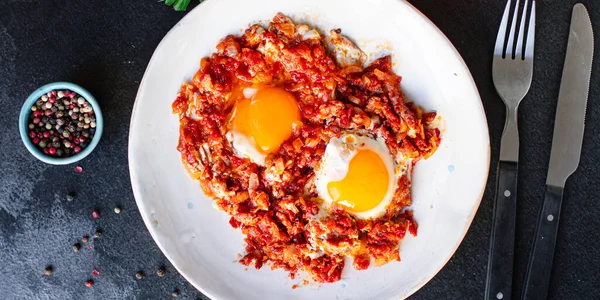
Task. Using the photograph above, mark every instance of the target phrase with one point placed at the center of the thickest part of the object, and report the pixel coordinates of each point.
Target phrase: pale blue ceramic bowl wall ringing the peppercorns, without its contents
(24, 121)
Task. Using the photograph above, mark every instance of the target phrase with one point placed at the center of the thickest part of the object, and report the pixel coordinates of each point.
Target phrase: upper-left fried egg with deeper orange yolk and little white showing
(261, 121)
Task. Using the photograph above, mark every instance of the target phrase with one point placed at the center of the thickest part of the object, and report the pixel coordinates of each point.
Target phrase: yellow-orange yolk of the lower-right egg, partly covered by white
(365, 184)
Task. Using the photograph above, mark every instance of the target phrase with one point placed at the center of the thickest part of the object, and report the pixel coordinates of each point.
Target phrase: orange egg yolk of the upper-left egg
(268, 117)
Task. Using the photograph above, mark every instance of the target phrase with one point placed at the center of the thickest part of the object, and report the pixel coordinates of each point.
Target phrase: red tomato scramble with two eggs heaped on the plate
(309, 151)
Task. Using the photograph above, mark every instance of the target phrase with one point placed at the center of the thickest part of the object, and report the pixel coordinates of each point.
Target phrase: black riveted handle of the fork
(502, 245)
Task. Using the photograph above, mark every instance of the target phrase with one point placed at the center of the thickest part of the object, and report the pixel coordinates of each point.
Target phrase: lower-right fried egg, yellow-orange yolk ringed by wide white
(358, 173)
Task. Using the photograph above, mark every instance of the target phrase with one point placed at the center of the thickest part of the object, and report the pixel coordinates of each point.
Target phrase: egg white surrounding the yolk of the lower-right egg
(334, 167)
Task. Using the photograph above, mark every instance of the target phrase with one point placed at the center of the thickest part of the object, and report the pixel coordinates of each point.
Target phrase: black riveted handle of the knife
(539, 269)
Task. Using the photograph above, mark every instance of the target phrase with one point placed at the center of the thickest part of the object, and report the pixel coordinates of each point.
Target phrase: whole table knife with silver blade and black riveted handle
(566, 149)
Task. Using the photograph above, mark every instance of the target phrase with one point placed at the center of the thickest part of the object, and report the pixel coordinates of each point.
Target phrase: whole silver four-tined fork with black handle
(512, 71)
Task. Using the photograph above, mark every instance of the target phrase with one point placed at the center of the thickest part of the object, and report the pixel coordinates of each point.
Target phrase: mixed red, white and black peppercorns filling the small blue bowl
(53, 120)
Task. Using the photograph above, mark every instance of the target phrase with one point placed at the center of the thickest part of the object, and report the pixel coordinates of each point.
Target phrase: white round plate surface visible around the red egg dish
(447, 188)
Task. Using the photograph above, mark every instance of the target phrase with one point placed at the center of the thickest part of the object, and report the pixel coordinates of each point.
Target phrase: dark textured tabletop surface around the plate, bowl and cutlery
(105, 47)
